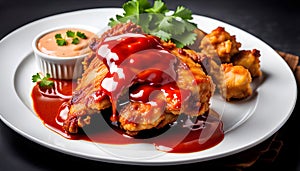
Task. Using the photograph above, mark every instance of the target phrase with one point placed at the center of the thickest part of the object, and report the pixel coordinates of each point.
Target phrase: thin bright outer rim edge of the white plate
(188, 159)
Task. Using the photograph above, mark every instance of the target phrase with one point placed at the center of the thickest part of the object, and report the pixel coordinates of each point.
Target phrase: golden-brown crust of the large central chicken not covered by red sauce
(89, 99)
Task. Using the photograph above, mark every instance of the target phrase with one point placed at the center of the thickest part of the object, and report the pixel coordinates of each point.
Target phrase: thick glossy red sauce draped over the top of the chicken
(136, 58)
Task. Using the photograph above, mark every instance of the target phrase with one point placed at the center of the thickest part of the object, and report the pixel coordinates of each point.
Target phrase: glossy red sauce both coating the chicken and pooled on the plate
(185, 135)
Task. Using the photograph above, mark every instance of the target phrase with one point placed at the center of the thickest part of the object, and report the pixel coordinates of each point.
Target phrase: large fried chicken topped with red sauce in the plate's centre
(190, 95)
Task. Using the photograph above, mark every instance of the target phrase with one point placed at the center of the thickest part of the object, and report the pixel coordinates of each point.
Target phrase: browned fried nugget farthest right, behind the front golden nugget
(250, 60)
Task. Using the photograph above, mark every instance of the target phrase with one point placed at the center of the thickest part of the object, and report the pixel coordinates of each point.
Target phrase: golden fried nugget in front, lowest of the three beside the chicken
(236, 82)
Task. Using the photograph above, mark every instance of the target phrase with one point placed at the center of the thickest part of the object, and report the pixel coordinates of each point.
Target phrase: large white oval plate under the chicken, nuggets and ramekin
(246, 124)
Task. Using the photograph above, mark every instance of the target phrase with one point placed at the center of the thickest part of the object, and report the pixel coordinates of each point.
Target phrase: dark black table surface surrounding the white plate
(275, 22)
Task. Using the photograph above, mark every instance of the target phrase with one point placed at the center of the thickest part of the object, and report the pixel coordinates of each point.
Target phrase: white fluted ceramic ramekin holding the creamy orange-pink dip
(58, 67)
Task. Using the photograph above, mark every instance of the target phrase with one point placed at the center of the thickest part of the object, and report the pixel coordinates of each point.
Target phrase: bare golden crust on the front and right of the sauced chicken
(138, 116)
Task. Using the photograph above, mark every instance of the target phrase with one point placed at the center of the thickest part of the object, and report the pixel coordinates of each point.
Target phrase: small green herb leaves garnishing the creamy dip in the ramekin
(71, 34)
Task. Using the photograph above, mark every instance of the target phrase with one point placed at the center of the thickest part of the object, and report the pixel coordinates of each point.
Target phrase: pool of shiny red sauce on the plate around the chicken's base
(207, 131)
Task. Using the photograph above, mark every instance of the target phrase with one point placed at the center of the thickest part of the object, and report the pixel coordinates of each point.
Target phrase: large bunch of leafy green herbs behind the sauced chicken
(157, 20)
